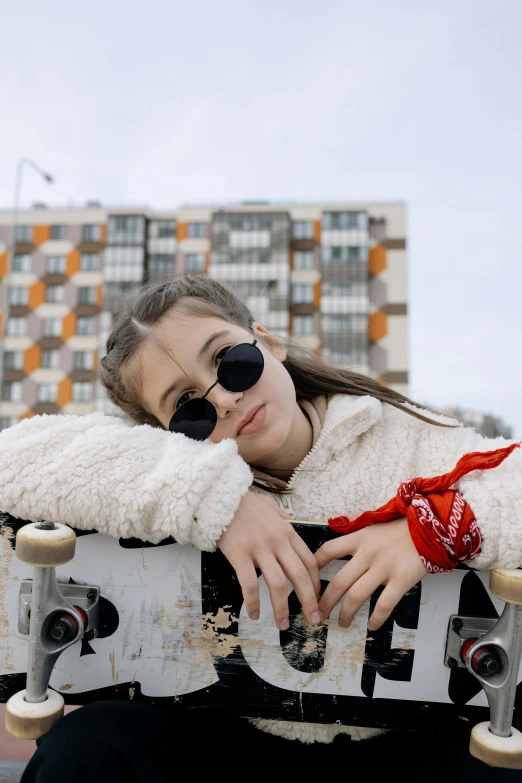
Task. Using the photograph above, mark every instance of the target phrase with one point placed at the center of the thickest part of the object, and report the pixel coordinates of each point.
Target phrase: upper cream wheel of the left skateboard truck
(43, 547)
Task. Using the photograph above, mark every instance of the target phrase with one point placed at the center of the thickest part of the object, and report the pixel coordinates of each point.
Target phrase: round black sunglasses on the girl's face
(239, 370)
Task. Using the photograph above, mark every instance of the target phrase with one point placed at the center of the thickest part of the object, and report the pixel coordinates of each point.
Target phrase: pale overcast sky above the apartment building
(165, 103)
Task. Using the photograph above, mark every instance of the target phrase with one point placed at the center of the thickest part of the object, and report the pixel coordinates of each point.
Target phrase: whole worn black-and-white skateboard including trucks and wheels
(85, 617)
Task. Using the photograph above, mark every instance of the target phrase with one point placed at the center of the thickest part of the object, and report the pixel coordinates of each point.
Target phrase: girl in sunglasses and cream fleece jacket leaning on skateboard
(217, 393)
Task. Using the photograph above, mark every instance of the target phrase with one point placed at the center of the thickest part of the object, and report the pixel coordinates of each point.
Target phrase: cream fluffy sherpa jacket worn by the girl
(96, 472)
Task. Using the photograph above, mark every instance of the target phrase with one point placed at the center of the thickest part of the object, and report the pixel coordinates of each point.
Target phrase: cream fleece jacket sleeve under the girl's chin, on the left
(96, 472)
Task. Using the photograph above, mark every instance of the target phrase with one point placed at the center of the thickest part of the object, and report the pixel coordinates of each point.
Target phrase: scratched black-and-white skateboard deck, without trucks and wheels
(172, 630)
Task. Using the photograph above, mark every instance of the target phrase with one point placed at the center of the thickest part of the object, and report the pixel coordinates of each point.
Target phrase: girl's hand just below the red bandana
(383, 554)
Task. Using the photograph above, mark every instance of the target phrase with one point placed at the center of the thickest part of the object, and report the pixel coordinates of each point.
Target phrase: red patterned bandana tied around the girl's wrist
(441, 524)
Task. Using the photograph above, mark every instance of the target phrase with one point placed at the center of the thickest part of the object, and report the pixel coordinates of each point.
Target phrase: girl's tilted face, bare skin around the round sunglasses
(183, 355)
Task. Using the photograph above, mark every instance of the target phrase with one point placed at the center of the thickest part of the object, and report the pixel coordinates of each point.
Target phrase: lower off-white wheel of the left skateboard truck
(31, 721)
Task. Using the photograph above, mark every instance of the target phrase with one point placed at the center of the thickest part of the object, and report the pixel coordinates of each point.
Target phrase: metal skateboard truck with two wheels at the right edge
(491, 651)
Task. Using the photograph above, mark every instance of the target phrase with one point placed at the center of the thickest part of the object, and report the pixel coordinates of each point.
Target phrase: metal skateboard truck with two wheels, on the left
(54, 625)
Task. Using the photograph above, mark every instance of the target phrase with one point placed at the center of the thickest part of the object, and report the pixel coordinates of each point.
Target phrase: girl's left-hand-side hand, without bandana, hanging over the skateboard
(261, 536)
